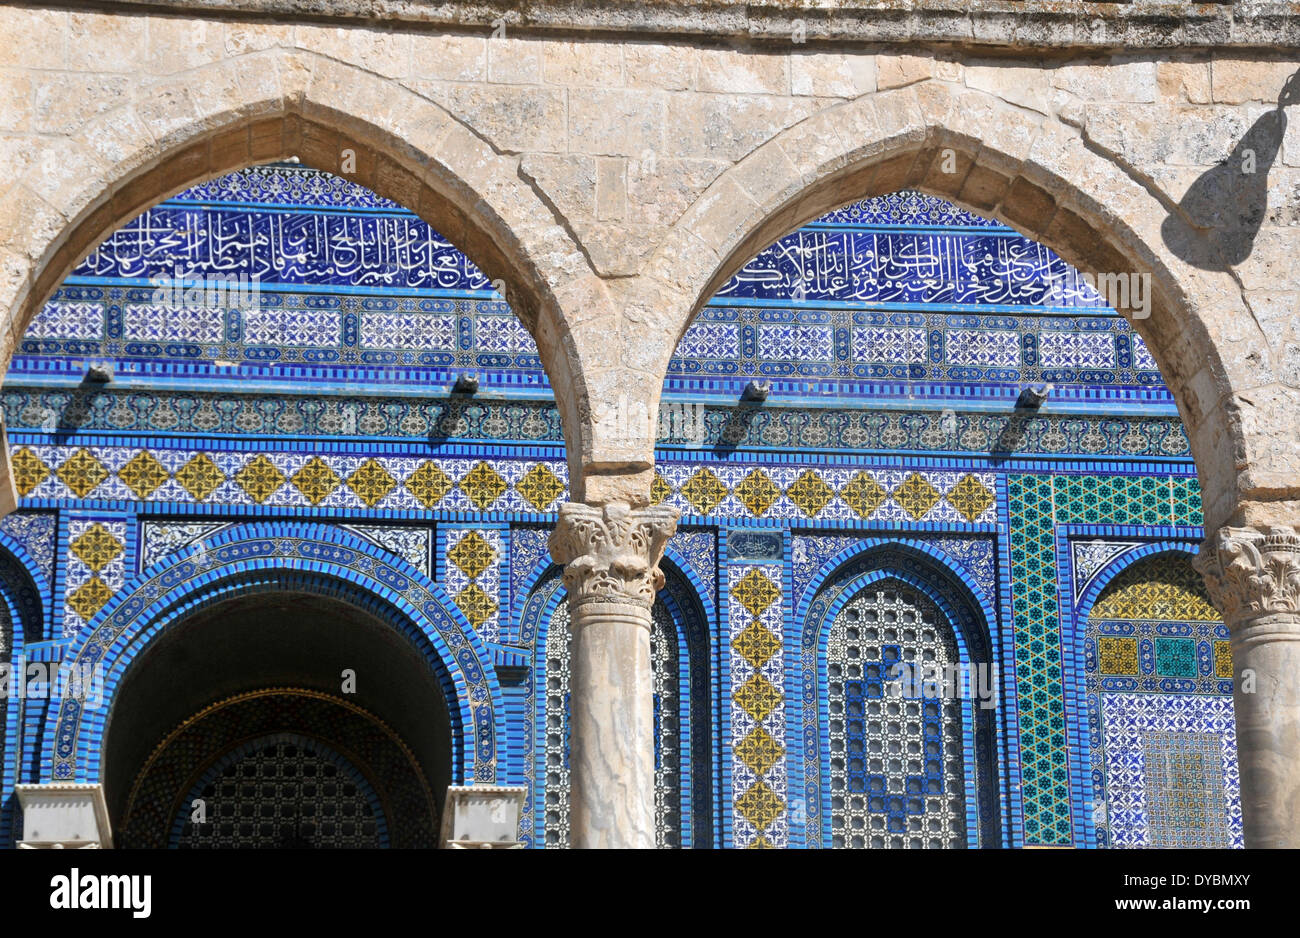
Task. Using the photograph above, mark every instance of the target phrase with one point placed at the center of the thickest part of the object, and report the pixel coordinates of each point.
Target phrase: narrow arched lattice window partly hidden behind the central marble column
(668, 736)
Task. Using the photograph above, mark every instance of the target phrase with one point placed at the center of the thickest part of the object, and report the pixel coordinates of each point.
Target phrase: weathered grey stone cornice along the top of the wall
(1029, 27)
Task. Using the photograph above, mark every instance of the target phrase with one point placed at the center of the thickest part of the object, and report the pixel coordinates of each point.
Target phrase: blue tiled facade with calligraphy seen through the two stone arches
(301, 429)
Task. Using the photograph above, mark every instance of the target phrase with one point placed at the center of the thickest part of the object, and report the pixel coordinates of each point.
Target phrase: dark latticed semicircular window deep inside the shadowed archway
(284, 792)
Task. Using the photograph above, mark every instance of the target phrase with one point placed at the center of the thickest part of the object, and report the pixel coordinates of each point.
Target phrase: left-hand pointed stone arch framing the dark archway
(177, 132)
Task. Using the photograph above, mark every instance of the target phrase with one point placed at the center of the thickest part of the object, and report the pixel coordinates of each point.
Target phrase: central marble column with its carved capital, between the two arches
(612, 572)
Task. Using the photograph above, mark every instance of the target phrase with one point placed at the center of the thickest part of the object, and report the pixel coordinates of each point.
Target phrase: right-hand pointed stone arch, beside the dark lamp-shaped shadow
(1038, 176)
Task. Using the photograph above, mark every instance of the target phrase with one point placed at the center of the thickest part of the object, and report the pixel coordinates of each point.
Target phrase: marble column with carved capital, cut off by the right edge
(1254, 577)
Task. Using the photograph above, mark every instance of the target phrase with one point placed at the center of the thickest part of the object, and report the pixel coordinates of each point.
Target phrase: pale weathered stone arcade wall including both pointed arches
(616, 170)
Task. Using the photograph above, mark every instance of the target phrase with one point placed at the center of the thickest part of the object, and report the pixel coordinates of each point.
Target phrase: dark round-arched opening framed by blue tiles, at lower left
(310, 697)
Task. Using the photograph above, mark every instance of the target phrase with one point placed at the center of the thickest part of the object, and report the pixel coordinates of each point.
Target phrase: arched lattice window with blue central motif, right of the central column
(896, 746)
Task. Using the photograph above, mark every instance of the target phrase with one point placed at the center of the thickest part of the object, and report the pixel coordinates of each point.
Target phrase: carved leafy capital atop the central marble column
(612, 554)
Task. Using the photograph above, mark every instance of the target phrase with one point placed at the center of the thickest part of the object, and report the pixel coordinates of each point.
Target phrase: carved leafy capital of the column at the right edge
(1253, 572)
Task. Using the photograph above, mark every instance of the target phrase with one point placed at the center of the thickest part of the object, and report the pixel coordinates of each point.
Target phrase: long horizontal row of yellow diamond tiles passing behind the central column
(768, 492)
